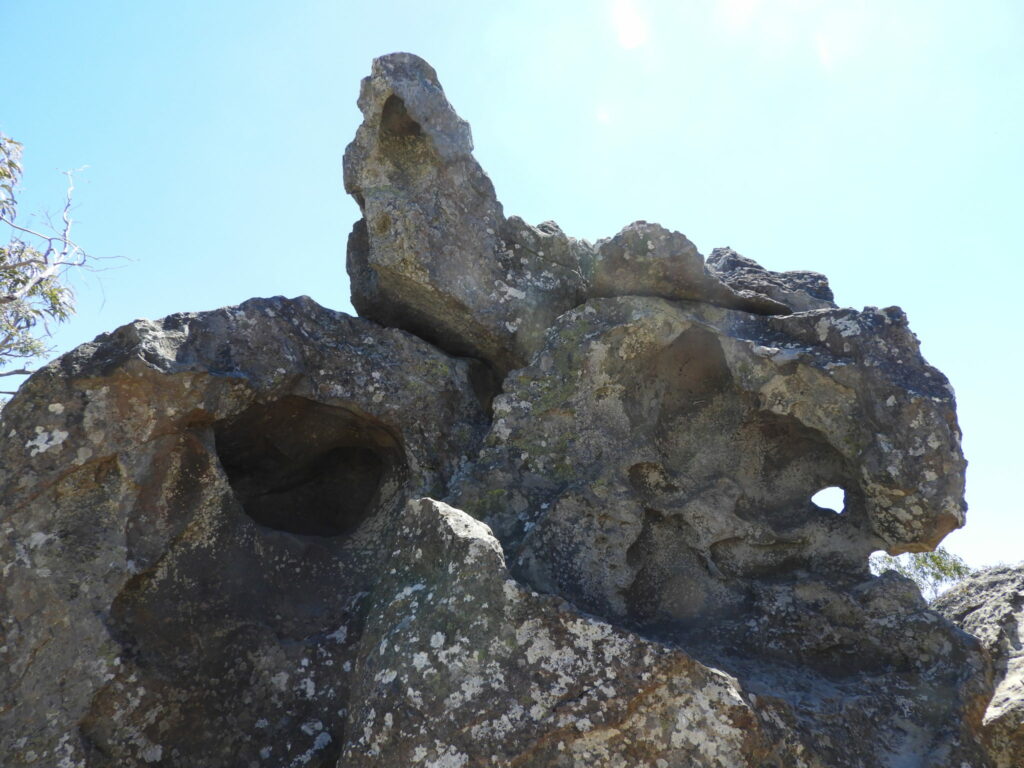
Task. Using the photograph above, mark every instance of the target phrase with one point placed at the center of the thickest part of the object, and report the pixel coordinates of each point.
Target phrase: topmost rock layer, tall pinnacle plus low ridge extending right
(435, 254)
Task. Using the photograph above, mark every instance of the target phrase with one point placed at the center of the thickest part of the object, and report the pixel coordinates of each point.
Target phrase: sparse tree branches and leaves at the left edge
(33, 265)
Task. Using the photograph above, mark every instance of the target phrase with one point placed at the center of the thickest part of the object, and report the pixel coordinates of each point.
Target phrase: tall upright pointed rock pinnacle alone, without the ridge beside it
(425, 254)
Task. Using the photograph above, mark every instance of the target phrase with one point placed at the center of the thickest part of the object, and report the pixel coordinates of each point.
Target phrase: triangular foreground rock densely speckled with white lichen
(462, 666)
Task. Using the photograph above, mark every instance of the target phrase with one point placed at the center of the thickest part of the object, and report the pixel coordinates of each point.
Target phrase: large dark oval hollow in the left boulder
(309, 468)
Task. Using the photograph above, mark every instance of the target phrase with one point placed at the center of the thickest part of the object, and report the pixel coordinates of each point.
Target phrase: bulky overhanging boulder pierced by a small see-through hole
(679, 404)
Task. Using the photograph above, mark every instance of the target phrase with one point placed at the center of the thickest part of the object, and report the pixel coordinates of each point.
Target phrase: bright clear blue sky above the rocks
(881, 143)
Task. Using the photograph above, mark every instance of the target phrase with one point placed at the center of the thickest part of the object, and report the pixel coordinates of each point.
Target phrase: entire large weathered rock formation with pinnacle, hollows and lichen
(547, 503)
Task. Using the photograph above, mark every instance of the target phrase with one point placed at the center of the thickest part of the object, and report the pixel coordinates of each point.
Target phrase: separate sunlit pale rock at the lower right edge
(991, 607)
